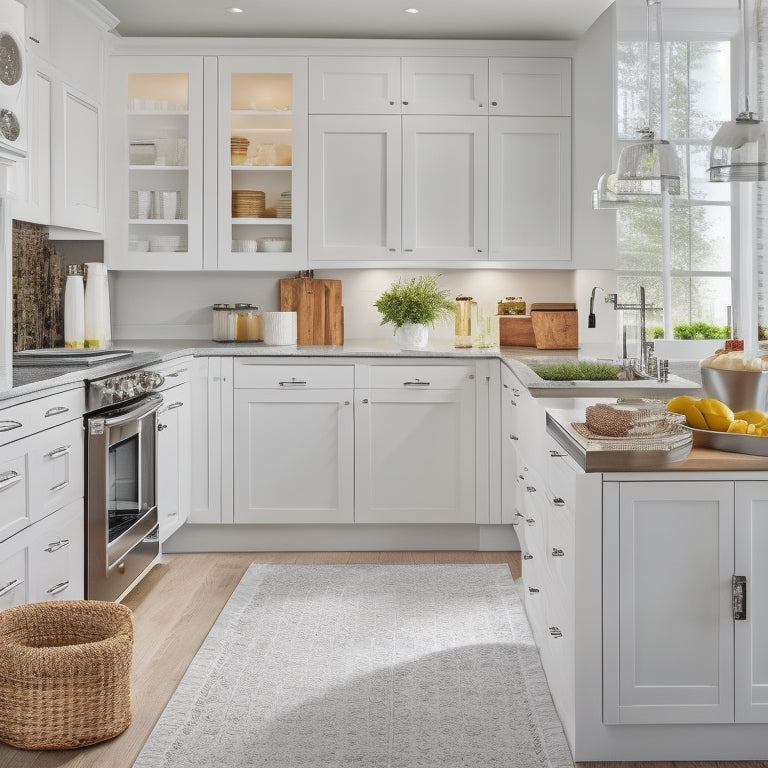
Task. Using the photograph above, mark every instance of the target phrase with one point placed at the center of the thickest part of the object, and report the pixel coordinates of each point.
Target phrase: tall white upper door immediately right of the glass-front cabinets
(354, 192)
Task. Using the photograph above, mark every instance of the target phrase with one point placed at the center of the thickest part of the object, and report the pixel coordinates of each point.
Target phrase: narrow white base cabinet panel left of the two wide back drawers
(211, 432)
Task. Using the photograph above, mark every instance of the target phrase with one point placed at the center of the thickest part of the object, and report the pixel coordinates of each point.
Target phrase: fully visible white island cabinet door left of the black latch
(668, 628)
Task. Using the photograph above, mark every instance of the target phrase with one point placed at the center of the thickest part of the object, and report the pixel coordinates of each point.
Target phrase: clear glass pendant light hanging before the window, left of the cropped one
(650, 166)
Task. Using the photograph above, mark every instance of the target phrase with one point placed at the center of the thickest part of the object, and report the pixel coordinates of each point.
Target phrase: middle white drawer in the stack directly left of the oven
(56, 464)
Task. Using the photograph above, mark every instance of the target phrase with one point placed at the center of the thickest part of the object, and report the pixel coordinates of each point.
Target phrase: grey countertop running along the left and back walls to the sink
(31, 380)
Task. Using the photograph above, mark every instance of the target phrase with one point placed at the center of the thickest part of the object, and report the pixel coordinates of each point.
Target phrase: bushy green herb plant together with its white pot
(412, 306)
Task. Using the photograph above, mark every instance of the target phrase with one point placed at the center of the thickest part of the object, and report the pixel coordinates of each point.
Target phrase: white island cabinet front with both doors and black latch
(684, 639)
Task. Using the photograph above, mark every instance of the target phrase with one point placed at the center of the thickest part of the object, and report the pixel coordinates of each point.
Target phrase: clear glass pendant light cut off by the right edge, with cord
(739, 150)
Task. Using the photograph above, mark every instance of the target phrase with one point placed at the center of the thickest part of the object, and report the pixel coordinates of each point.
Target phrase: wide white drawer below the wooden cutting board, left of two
(292, 377)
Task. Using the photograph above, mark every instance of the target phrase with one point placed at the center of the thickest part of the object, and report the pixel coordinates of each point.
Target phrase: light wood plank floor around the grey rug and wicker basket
(174, 608)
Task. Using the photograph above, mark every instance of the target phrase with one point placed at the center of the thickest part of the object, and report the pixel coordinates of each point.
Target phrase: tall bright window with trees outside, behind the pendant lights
(678, 247)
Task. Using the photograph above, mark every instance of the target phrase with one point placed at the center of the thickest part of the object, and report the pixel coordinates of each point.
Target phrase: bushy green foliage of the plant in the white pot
(416, 300)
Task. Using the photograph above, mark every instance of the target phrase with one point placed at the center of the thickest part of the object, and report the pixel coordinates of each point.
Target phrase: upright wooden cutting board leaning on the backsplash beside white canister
(319, 312)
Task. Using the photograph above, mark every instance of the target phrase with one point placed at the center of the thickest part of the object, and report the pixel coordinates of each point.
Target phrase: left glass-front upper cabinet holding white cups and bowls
(155, 163)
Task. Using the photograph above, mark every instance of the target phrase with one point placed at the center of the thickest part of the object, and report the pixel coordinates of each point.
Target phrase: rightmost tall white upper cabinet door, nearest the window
(530, 190)
